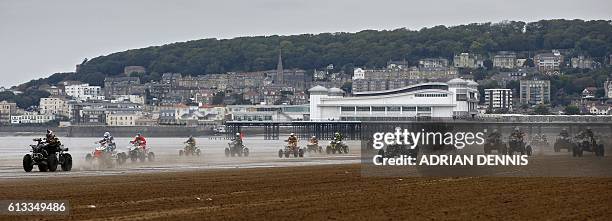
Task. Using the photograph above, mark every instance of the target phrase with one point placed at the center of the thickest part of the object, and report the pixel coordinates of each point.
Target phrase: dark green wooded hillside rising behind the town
(368, 48)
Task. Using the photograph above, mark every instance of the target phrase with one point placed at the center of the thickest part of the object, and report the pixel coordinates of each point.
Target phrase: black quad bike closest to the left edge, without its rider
(47, 158)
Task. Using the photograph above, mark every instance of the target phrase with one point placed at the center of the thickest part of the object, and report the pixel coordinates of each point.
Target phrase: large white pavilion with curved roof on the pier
(457, 97)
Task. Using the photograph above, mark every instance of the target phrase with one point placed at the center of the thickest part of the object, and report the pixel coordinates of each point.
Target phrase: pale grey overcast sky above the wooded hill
(38, 38)
